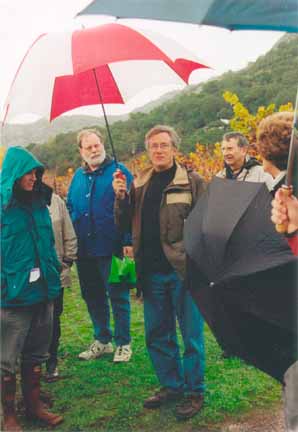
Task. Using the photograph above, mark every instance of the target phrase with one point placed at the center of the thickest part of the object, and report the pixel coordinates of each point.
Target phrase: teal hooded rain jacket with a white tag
(27, 239)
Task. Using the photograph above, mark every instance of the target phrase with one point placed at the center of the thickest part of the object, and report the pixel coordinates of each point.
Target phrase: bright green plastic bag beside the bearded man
(123, 270)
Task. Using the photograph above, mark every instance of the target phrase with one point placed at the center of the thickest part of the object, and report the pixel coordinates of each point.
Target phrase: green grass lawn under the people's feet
(101, 396)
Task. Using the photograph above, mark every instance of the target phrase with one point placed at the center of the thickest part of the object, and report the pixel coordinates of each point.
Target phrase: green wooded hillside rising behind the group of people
(197, 112)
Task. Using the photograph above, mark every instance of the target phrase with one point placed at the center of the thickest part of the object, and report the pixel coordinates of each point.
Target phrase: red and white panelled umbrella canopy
(108, 64)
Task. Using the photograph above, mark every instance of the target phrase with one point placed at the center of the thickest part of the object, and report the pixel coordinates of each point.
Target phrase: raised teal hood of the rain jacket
(17, 162)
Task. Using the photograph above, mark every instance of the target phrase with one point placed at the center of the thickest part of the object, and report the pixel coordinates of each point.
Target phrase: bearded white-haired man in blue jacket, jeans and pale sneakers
(91, 201)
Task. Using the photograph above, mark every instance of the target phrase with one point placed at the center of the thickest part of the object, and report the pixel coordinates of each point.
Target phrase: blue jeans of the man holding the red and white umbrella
(165, 299)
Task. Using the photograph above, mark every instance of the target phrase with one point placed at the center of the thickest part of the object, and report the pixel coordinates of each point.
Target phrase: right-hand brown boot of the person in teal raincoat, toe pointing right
(35, 409)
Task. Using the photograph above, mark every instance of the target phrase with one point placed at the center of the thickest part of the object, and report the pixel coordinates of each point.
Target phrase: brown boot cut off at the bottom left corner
(8, 394)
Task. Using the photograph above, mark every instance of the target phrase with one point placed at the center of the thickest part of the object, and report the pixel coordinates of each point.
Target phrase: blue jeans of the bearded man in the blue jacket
(96, 291)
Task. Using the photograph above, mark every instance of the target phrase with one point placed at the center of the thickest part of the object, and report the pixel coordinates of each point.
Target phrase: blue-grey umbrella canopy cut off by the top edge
(231, 14)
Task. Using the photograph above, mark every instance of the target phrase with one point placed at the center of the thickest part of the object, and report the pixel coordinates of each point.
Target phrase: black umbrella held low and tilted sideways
(242, 274)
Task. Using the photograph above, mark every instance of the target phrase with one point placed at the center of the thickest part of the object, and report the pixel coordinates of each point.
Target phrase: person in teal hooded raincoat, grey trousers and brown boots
(29, 284)
